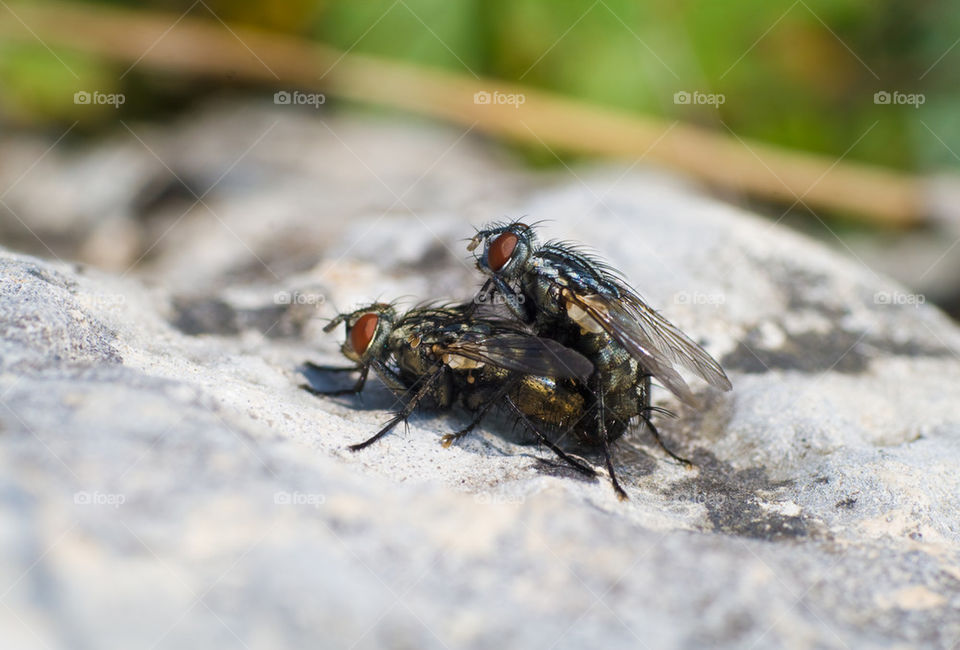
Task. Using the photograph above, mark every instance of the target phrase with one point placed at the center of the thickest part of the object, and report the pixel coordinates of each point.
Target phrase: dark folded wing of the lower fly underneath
(524, 353)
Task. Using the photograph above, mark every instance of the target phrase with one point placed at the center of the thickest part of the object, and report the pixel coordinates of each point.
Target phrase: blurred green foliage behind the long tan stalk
(801, 74)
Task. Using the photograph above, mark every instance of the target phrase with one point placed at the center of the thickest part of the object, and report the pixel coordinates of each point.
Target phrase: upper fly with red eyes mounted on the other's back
(579, 301)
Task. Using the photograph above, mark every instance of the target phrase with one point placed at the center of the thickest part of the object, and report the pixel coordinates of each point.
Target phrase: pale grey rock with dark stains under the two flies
(164, 483)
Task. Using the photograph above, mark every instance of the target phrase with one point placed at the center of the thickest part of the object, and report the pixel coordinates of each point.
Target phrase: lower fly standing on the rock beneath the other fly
(445, 356)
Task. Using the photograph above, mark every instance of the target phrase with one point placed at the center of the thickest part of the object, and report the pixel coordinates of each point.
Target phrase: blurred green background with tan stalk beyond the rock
(835, 117)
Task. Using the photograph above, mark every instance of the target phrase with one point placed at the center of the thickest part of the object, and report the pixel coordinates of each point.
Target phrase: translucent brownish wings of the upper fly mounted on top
(651, 339)
